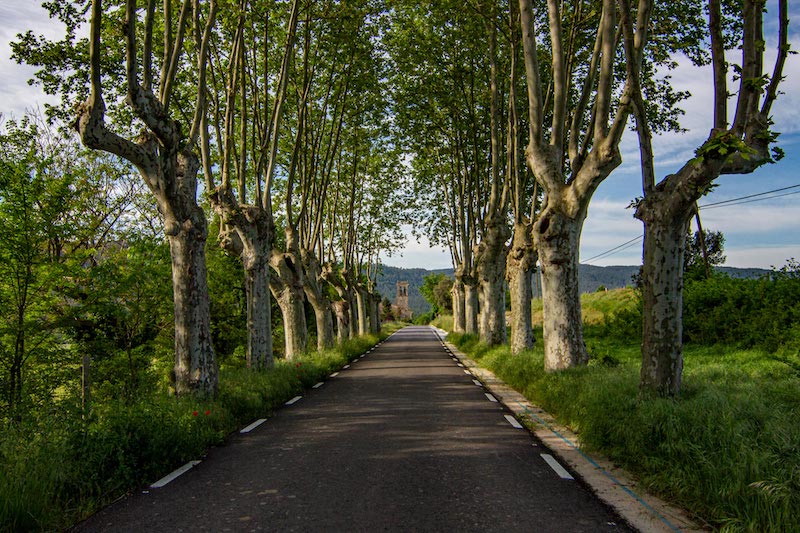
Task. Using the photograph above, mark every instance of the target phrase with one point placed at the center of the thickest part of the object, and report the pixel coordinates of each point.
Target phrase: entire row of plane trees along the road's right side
(568, 78)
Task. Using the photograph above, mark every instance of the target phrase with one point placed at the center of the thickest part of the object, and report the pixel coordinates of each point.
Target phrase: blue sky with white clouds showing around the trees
(762, 233)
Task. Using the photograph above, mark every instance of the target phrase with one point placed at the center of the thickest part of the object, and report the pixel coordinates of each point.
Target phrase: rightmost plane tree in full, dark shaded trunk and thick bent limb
(738, 143)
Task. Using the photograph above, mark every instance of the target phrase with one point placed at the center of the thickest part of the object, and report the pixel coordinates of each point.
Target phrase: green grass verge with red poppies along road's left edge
(61, 468)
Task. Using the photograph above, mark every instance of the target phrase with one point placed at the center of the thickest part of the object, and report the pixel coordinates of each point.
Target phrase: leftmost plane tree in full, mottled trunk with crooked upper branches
(164, 151)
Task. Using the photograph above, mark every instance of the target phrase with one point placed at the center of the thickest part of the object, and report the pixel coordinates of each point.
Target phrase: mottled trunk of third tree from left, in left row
(287, 287)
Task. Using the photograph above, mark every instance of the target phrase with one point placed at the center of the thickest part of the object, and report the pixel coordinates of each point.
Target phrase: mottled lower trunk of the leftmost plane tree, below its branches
(195, 368)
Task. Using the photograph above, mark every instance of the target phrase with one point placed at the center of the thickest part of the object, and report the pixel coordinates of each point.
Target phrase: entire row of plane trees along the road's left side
(274, 112)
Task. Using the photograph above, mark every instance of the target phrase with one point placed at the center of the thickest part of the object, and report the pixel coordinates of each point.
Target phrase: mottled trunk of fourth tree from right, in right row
(491, 260)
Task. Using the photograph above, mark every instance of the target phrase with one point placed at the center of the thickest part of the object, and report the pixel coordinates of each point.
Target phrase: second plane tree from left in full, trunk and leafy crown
(240, 152)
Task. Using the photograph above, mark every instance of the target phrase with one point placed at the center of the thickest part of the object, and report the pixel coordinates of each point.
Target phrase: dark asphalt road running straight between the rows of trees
(403, 440)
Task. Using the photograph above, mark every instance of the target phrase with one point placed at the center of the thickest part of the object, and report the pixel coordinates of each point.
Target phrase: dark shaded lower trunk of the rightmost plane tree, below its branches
(662, 297)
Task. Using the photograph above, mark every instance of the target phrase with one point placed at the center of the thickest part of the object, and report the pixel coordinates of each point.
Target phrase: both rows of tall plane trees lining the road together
(296, 113)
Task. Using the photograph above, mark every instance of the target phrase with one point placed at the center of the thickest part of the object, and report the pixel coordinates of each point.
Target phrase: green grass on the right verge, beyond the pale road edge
(728, 450)
